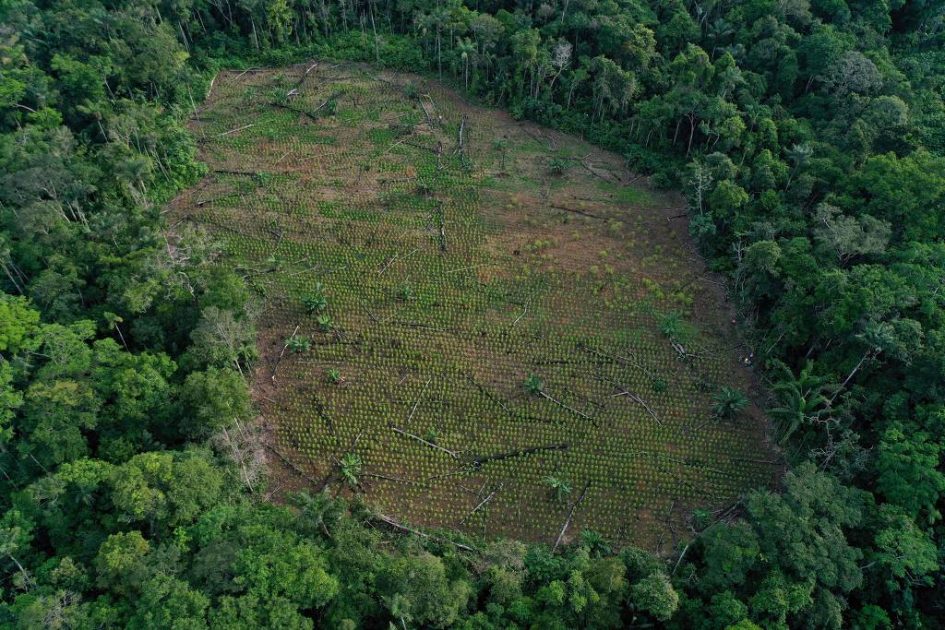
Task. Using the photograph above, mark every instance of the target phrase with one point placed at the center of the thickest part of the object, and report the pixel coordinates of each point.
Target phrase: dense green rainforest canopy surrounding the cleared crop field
(809, 138)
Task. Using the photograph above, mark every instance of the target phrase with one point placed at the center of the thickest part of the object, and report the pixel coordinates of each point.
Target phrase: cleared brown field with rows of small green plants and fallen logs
(459, 252)
